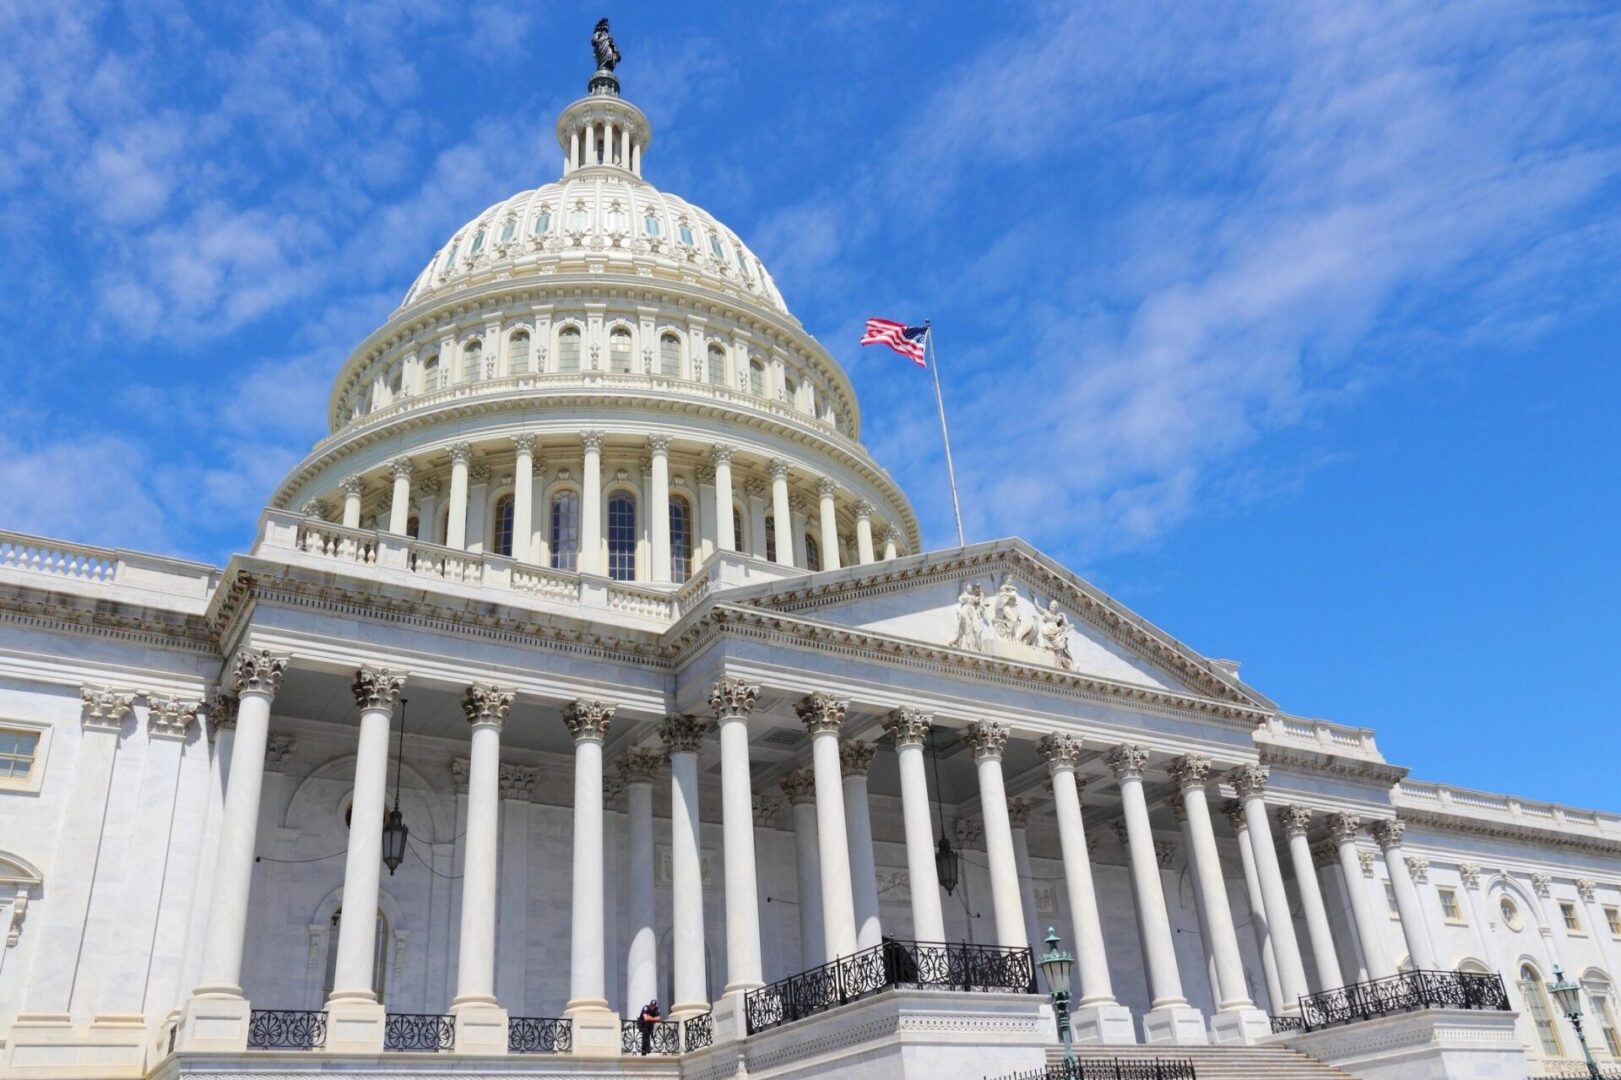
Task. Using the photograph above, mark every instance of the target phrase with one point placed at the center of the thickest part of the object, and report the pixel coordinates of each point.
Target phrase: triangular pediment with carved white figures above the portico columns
(1009, 602)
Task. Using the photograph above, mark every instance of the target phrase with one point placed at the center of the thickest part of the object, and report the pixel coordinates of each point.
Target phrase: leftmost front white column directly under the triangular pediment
(732, 700)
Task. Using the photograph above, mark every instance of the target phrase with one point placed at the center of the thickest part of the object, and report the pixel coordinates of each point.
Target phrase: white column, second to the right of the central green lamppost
(1170, 1018)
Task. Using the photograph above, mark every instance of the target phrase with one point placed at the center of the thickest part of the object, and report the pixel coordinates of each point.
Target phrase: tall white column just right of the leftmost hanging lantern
(481, 1021)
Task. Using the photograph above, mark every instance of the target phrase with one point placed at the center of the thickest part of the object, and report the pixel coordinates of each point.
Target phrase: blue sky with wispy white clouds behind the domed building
(1294, 327)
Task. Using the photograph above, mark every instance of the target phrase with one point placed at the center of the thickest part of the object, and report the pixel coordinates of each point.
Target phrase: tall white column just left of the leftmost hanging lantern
(354, 1016)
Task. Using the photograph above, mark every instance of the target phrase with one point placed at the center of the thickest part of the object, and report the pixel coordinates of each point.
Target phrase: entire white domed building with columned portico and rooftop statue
(592, 662)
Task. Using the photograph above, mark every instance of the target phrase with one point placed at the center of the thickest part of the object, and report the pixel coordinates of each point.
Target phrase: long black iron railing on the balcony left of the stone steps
(909, 964)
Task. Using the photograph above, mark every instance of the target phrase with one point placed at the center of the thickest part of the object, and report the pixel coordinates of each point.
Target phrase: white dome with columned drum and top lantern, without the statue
(599, 377)
